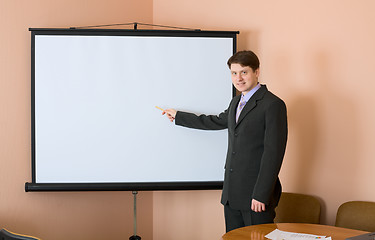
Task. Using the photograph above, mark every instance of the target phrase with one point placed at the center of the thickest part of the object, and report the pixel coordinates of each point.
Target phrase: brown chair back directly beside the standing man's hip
(297, 208)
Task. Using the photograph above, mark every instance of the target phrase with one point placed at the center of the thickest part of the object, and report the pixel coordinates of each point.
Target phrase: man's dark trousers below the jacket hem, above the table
(241, 218)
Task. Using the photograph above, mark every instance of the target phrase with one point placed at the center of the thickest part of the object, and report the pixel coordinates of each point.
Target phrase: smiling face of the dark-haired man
(243, 78)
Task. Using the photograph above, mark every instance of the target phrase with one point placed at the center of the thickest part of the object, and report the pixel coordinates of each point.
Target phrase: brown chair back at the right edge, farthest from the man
(358, 215)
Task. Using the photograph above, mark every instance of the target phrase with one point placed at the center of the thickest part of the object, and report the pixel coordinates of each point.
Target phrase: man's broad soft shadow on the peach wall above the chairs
(325, 135)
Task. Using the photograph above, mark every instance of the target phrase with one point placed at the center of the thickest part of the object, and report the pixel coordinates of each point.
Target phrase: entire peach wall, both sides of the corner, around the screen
(317, 55)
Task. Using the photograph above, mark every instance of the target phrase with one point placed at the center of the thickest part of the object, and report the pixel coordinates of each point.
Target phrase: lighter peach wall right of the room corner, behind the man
(319, 57)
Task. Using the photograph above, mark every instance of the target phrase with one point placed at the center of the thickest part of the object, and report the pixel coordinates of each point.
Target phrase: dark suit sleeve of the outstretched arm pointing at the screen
(204, 122)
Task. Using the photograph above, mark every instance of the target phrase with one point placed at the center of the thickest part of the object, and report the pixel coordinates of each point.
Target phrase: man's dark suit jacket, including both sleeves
(256, 147)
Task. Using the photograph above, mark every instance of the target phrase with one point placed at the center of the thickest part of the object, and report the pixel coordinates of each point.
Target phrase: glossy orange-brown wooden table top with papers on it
(257, 232)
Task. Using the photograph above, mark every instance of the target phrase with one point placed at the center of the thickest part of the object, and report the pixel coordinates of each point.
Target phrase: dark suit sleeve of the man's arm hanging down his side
(276, 132)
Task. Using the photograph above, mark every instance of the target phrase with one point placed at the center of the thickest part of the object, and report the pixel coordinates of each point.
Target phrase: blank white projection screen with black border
(95, 125)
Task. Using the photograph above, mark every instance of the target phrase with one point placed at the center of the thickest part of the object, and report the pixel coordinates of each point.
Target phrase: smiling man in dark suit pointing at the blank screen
(257, 134)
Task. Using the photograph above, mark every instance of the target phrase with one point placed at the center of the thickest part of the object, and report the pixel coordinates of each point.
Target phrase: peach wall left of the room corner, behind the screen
(55, 216)
